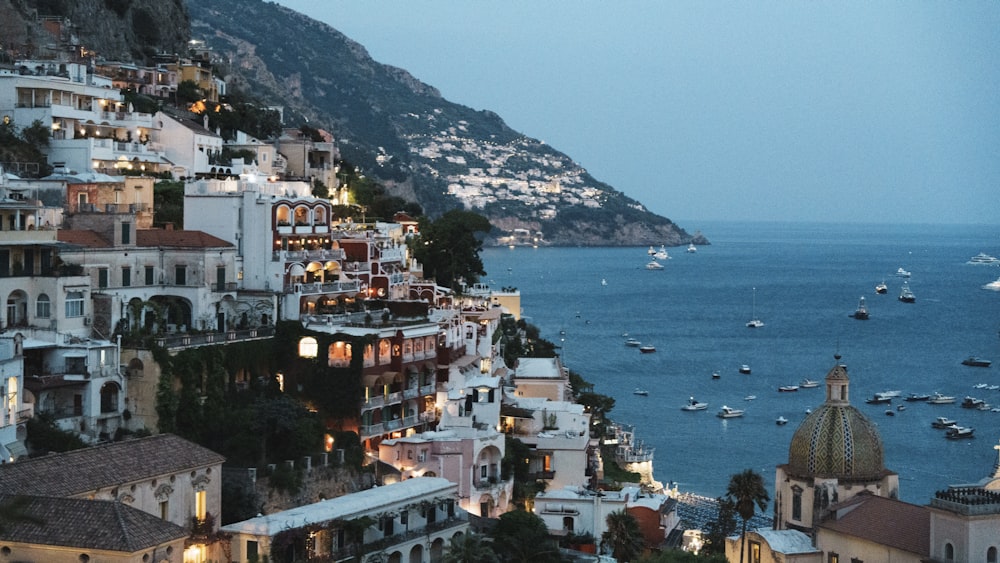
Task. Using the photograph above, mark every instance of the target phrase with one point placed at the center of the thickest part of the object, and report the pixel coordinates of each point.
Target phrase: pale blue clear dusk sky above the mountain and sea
(847, 111)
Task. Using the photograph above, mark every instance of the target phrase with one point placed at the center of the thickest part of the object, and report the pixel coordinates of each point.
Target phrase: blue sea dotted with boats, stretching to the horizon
(808, 280)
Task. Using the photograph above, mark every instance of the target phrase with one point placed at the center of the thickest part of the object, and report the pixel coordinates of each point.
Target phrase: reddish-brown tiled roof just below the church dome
(884, 521)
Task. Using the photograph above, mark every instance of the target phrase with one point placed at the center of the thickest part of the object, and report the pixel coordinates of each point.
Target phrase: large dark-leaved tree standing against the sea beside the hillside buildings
(449, 249)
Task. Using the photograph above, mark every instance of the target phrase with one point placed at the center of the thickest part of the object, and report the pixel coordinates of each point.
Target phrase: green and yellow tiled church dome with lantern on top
(836, 440)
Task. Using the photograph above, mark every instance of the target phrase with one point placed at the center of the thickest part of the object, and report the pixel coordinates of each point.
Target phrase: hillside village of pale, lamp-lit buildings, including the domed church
(128, 338)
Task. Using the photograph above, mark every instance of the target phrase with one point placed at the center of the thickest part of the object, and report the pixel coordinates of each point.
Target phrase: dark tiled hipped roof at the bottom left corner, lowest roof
(87, 524)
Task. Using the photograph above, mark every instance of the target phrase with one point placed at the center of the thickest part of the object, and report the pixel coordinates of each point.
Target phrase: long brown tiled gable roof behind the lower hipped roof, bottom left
(107, 465)
